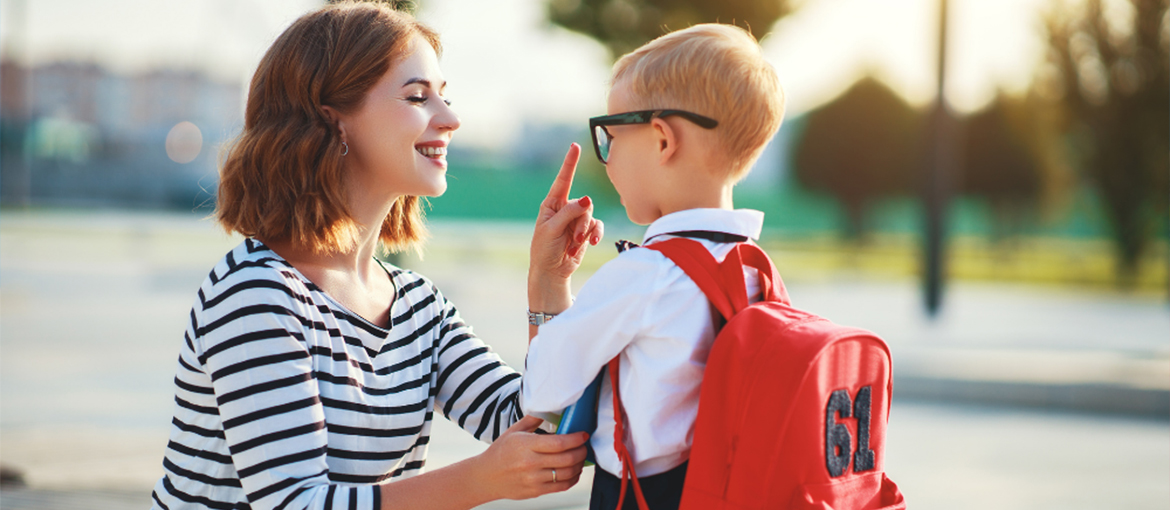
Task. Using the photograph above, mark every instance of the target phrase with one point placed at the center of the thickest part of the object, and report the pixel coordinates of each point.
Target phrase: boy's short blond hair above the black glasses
(715, 71)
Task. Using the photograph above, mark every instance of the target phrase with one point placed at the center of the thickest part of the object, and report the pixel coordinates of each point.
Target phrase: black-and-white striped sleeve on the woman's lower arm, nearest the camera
(252, 344)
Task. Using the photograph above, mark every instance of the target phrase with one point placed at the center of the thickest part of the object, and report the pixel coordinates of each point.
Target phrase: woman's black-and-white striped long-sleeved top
(287, 399)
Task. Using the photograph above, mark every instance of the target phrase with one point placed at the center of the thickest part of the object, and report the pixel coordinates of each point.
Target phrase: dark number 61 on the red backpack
(838, 440)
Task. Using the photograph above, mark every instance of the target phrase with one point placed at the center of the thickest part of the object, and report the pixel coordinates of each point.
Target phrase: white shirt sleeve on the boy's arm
(573, 348)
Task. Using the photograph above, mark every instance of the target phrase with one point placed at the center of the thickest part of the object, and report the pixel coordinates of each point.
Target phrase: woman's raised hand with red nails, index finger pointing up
(563, 230)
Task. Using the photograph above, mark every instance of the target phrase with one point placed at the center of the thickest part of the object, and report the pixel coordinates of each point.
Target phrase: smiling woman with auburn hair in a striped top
(311, 373)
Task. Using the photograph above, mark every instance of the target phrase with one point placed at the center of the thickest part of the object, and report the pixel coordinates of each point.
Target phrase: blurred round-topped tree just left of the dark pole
(861, 148)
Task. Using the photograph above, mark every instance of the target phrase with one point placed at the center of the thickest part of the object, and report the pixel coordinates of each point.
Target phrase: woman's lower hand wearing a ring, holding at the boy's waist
(520, 465)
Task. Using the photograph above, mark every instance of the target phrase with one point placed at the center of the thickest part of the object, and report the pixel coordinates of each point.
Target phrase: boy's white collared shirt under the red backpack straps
(643, 307)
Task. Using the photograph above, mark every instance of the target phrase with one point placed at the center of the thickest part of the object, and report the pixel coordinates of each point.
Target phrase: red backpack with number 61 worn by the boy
(793, 410)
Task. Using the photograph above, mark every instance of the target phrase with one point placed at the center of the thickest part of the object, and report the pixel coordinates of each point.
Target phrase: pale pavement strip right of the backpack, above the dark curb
(1015, 346)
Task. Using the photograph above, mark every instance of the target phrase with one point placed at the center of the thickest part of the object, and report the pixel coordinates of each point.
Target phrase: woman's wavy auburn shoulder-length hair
(283, 177)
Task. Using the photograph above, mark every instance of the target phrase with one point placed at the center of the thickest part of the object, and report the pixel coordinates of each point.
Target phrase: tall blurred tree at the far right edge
(1109, 70)
